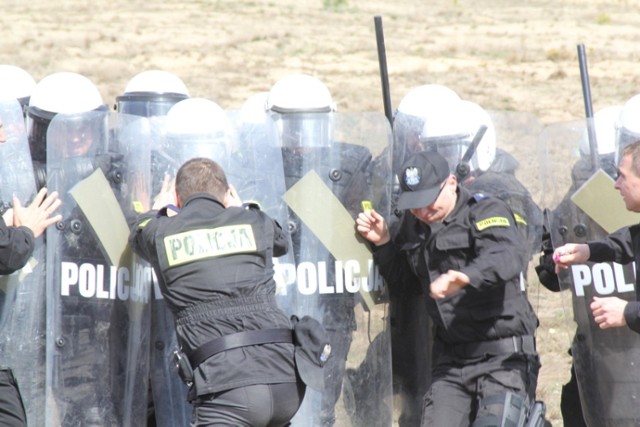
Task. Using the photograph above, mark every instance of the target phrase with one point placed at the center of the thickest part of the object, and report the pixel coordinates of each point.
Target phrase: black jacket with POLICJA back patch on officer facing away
(221, 285)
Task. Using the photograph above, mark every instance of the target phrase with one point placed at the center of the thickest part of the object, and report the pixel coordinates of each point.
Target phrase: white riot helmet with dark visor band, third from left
(151, 93)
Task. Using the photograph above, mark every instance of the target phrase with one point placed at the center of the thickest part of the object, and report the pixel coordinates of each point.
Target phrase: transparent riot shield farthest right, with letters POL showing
(579, 189)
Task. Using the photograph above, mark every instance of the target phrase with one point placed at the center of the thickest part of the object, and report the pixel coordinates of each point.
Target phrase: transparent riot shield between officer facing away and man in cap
(334, 278)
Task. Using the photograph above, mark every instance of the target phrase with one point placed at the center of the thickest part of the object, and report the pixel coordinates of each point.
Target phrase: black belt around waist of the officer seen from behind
(239, 339)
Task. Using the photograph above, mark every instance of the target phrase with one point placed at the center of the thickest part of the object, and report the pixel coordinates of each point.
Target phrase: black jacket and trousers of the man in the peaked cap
(485, 330)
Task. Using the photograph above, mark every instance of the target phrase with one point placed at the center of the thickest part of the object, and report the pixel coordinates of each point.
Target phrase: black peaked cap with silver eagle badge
(422, 177)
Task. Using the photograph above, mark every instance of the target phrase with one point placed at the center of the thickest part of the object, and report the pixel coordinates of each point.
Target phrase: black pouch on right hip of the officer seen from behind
(312, 350)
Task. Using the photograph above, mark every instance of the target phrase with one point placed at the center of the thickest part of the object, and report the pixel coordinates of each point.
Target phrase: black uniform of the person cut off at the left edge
(16, 246)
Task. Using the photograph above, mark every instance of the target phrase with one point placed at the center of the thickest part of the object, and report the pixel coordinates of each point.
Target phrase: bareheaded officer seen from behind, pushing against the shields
(245, 361)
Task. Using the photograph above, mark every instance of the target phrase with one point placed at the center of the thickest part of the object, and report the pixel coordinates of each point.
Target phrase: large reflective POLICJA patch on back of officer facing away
(194, 245)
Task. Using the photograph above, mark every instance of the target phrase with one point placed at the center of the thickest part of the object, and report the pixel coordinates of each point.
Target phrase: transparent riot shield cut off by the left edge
(22, 294)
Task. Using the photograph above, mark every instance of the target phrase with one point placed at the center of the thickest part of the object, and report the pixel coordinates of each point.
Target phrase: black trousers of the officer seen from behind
(261, 405)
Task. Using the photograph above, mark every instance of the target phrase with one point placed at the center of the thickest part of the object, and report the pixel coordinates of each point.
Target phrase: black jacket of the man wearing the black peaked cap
(479, 238)
